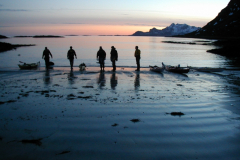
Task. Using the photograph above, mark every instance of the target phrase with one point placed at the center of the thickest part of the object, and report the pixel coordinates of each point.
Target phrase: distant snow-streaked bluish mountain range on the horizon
(172, 30)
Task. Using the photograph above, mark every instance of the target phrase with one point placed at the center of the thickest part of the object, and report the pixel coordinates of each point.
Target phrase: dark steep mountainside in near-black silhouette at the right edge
(225, 25)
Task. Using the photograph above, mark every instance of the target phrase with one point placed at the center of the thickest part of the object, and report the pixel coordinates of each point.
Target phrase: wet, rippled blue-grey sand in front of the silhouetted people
(59, 114)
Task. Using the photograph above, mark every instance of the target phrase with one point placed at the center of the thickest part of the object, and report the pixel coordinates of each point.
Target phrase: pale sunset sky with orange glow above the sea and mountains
(102, 17)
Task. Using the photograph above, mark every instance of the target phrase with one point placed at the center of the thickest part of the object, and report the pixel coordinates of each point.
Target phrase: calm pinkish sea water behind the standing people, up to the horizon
(153, 51)
